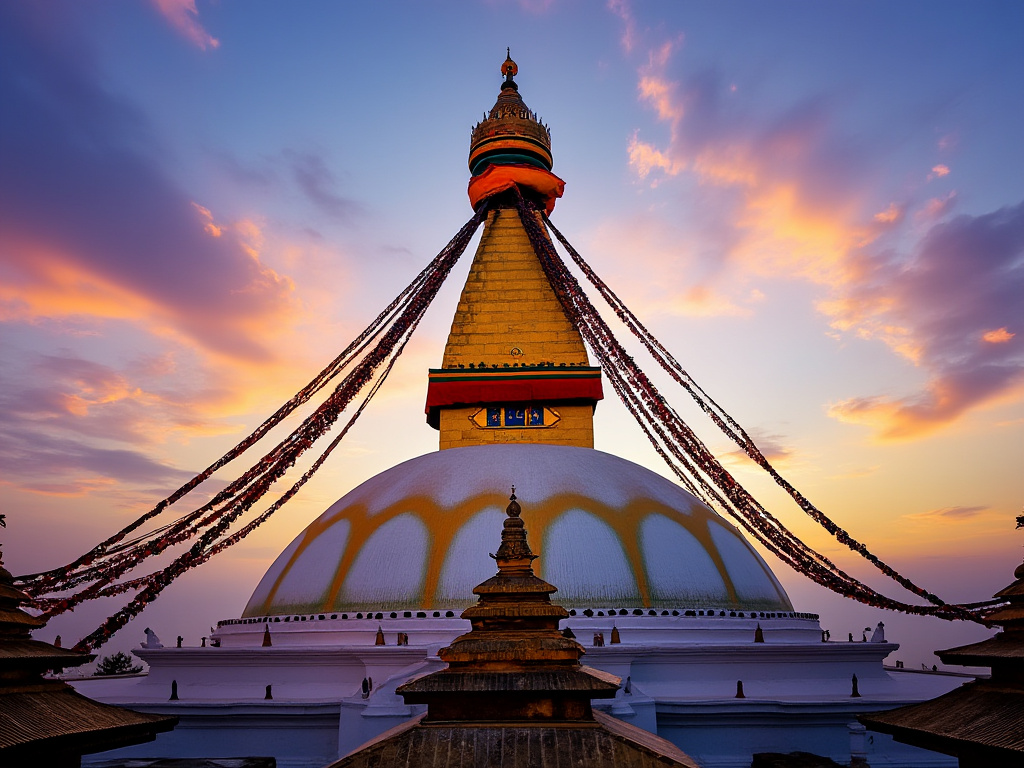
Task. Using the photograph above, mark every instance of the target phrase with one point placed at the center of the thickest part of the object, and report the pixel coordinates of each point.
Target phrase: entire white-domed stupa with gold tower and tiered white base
(665, 593)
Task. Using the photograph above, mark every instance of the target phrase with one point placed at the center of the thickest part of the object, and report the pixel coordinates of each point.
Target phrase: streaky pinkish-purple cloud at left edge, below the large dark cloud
(71, 426)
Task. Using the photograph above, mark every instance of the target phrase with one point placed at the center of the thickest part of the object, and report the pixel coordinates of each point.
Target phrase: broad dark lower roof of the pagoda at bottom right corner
(980, 715)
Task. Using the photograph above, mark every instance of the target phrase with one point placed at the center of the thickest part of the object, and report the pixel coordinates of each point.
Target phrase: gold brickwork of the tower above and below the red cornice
(508, 316)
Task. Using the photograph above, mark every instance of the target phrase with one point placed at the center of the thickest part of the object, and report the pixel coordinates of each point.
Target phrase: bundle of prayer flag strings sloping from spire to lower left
(98, 573)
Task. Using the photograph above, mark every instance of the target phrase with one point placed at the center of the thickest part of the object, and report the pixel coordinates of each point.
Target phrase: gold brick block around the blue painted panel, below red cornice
(576, 428)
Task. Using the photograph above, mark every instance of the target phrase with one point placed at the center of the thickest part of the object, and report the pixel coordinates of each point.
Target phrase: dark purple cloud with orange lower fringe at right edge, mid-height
(966, 280)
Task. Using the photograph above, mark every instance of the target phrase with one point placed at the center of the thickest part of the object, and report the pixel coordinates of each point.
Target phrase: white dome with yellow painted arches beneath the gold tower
(609, 533)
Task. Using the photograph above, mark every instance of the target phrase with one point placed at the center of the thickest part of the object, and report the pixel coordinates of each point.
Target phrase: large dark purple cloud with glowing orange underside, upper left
(95, 226)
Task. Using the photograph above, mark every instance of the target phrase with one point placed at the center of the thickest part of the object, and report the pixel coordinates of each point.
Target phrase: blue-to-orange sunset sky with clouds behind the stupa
(818, 207)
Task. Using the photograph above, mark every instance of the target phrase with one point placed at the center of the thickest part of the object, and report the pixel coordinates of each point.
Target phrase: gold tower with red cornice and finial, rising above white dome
(515, 369)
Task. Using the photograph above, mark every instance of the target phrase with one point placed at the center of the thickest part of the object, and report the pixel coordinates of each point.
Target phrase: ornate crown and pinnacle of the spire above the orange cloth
(511, 133)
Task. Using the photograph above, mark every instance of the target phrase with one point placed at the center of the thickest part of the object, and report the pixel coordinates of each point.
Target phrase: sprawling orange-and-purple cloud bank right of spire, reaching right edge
(769, 184)
